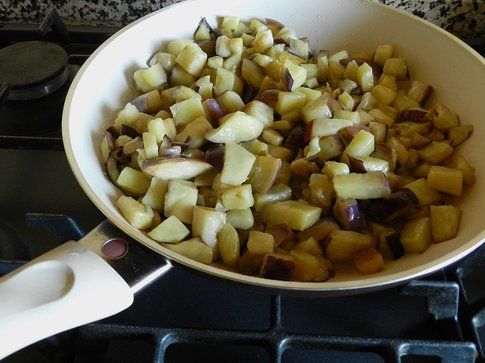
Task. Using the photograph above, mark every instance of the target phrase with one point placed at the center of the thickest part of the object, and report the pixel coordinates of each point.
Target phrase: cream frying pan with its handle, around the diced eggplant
(78, 283)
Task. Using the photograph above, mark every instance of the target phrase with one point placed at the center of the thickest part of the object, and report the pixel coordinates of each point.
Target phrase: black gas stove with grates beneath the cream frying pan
(185, 317)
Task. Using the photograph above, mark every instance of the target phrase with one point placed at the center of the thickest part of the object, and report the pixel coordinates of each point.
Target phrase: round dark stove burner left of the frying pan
(33, 69)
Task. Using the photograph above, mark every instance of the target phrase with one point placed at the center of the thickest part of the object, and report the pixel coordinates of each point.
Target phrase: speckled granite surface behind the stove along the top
(462, 17)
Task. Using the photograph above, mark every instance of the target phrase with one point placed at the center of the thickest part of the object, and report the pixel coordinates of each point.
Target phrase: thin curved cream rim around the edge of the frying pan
(330, 287)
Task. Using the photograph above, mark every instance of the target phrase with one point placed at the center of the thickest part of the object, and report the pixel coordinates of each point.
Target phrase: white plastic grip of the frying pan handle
(62, 289)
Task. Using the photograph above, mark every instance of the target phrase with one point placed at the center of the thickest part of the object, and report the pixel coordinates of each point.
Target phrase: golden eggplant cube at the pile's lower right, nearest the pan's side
(445, 221)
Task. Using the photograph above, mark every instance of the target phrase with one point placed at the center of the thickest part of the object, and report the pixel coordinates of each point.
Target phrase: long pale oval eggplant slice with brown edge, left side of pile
(170, 168)
